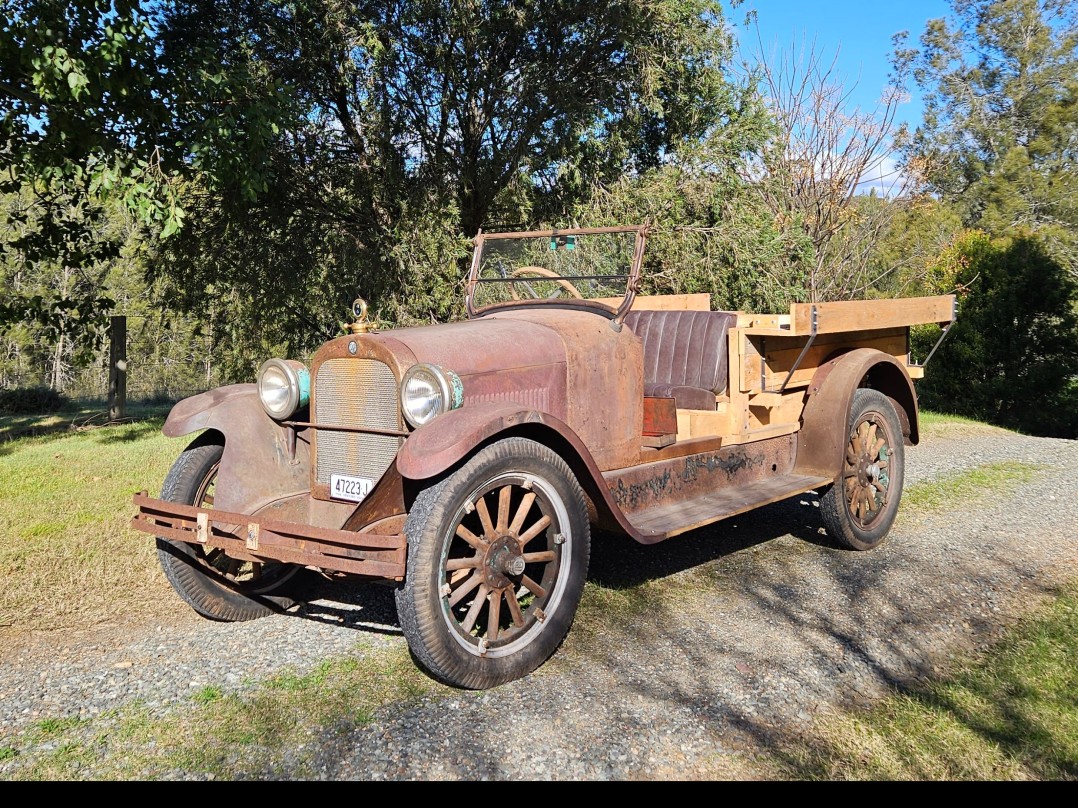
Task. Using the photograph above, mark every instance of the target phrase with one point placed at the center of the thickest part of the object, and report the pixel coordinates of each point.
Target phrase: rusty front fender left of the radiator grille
(258, 467)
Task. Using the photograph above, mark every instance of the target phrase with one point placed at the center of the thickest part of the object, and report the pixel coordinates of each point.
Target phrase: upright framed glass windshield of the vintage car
(565, 267)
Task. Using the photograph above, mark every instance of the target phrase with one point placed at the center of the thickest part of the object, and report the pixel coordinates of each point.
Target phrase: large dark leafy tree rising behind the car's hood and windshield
(416, 123)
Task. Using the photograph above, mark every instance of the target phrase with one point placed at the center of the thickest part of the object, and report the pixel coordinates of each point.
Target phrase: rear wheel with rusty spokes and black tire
(860, 510)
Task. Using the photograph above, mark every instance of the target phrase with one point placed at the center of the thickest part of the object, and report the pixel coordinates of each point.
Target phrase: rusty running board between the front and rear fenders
(669, 520)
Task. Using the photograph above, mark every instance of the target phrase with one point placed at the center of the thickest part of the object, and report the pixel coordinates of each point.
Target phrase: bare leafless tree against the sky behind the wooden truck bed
(814, 170)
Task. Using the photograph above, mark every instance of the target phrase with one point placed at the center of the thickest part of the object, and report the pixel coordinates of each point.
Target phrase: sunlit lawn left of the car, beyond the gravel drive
(68, 559)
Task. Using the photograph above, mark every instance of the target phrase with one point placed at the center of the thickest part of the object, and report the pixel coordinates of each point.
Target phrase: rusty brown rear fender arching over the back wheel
(823, 437)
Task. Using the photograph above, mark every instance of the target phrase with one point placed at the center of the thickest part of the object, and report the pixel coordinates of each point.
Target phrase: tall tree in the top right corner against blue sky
(1000, 136)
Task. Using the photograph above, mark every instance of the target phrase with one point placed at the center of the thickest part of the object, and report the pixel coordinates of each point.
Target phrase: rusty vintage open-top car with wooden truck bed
(466, 464)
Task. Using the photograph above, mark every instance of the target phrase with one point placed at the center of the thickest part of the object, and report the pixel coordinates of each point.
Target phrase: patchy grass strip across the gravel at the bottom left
(230, 737)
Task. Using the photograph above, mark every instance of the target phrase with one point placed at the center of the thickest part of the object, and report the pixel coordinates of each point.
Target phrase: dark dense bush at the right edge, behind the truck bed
(1013, 355)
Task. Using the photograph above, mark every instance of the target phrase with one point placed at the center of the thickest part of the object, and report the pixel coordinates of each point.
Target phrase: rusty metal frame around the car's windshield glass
(615, 313)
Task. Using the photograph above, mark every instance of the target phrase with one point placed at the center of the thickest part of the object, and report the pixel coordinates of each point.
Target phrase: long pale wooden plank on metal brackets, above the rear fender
(861, 315)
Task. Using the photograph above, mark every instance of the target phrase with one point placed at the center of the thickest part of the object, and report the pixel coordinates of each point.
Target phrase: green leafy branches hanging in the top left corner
(80, 110)
